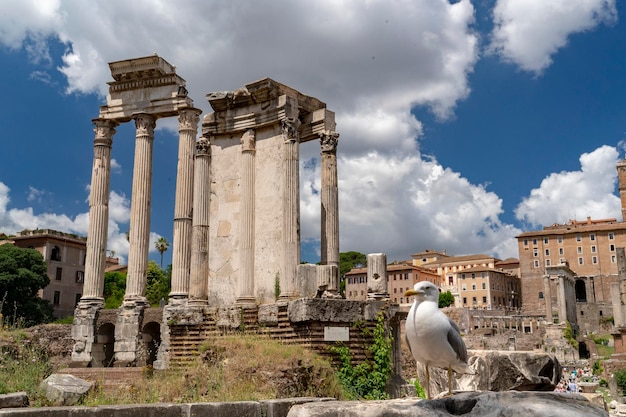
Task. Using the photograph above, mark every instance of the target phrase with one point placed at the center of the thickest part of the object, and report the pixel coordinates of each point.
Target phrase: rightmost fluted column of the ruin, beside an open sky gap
(330, 200)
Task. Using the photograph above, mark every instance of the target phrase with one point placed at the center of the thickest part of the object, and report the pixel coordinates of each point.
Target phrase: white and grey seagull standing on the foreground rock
(434, 339)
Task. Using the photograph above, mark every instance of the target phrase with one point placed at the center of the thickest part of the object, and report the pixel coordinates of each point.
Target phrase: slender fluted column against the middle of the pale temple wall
(246, 245)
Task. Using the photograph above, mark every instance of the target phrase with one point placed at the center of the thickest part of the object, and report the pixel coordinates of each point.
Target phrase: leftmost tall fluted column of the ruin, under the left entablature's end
(95, 261)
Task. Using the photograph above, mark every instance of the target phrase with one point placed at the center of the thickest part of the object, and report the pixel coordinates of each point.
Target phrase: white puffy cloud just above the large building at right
(572, 195)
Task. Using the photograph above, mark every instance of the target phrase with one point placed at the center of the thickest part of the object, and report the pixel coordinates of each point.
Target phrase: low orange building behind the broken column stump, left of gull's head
(400, 277)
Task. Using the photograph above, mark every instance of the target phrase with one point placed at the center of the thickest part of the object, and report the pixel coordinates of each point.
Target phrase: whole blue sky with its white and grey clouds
(462, 123)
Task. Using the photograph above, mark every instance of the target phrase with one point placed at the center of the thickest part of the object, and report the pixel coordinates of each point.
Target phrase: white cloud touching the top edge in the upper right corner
(529, 32)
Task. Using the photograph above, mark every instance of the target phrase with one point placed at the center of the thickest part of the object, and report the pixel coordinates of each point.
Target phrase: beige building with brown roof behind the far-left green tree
(64, 253)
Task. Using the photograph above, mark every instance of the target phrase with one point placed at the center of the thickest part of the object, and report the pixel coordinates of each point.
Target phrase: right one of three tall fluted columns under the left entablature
(181, 257)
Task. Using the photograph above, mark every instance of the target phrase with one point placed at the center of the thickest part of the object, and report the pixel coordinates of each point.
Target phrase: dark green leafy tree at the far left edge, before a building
(23, 272)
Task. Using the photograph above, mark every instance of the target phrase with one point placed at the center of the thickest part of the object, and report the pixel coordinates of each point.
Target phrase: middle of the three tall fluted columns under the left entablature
(141, 201)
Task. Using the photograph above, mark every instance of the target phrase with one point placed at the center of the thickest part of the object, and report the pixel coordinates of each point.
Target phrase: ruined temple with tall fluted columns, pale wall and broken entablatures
(236, 242)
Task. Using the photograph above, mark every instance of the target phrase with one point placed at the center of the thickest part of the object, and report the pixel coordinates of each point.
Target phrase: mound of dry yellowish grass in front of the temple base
(233, 368)
